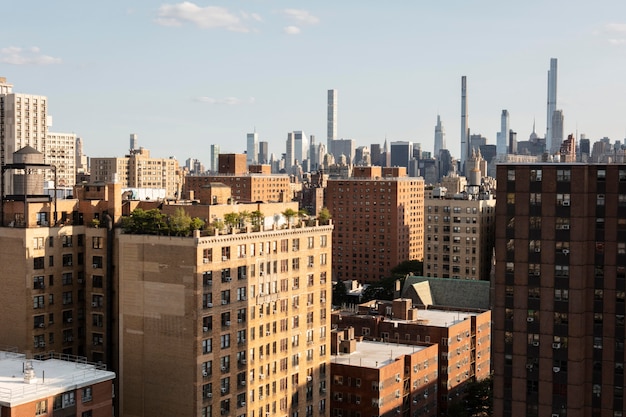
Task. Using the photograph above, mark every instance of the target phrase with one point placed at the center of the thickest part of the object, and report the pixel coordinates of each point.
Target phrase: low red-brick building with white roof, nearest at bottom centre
(377, 379)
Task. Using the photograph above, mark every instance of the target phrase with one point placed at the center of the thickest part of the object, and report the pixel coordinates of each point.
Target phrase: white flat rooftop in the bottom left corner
(54, 375)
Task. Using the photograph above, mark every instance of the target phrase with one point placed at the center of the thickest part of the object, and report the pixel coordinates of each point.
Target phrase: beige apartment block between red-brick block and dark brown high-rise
(460, 235)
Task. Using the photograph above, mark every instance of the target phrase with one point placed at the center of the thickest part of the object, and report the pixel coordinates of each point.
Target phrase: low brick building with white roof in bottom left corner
(54, 384)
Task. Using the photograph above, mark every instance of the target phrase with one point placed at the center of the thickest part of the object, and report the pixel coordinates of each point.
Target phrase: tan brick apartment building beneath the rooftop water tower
(56, 274)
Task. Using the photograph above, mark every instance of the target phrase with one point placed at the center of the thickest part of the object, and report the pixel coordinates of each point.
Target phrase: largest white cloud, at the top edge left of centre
(210, 17)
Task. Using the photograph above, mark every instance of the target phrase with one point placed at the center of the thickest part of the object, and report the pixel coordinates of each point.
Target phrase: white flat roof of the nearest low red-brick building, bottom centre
(375, 354)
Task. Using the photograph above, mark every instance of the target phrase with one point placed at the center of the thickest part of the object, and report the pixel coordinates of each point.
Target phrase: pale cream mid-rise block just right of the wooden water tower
(61, 152)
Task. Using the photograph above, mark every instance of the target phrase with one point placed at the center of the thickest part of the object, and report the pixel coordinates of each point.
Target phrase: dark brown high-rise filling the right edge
(560, 279)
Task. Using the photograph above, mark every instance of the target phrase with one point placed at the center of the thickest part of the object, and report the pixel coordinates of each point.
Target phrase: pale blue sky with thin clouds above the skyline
(185, 75)
